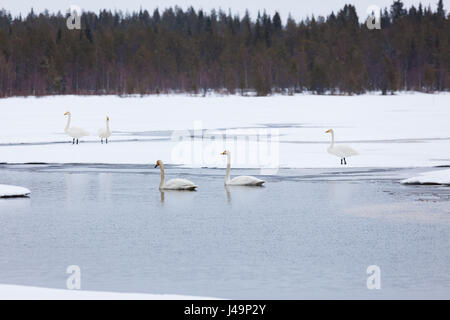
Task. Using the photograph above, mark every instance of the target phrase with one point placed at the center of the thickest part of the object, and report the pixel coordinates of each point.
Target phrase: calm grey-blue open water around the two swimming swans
(309, 233)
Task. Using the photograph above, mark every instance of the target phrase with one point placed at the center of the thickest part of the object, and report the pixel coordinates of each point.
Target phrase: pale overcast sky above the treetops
(298, 8)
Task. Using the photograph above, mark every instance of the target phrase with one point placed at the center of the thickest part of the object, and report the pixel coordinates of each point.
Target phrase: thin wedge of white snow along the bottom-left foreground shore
(14, 292)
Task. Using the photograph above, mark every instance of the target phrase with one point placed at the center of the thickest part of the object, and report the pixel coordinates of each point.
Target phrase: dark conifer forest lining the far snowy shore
(194, 51)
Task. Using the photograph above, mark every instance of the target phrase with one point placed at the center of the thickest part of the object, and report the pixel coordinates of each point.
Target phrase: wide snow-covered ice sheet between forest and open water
(404, 130)
